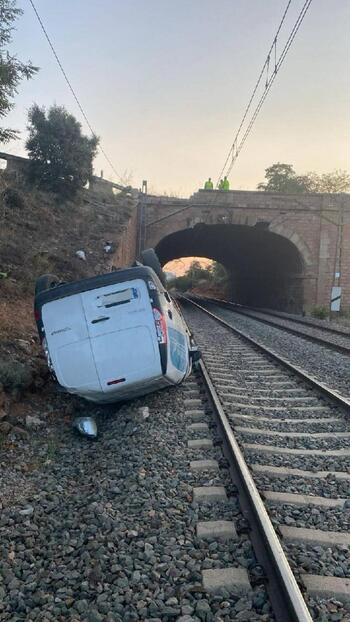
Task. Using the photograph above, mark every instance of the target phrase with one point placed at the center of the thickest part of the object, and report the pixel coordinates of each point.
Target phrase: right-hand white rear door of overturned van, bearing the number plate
(123, 336)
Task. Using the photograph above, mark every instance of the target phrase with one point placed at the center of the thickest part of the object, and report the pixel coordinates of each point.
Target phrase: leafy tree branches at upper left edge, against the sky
(12, 70)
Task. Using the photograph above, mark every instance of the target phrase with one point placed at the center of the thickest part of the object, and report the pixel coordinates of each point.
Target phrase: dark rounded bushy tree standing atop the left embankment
(60, 156)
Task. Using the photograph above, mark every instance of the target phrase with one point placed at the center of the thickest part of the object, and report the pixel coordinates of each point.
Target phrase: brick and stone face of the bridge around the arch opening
(311, 222)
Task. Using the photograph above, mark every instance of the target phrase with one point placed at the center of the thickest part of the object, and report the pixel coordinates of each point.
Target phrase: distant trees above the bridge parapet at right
(282, 178)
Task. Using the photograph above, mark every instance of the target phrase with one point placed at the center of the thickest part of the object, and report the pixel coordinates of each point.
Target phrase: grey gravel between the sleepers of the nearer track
(227, 359)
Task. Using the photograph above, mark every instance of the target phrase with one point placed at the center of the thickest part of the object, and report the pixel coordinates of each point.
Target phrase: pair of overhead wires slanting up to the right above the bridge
(236, 148)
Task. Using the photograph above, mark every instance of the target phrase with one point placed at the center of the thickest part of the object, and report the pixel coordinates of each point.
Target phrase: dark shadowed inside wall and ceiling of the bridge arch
(266, 269)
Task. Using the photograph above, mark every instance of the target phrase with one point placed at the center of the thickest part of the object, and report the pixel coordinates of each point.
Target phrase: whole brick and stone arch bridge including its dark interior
(283, 251)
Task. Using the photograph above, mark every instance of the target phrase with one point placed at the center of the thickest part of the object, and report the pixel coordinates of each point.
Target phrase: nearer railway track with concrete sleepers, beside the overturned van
(287, 436)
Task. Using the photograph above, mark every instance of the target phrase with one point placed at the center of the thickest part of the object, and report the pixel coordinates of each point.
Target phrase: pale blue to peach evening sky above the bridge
(165, 83)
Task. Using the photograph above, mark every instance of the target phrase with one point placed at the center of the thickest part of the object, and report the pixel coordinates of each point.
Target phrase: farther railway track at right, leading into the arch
(327, 336)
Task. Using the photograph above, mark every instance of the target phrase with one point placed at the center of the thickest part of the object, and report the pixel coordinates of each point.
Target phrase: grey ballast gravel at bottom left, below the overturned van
(106, 531)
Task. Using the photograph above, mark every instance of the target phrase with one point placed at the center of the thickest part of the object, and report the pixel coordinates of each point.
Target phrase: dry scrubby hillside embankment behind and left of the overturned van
(40, 233)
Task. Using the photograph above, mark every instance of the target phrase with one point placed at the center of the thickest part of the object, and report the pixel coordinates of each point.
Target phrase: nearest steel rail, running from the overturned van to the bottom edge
(285, 595)
